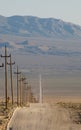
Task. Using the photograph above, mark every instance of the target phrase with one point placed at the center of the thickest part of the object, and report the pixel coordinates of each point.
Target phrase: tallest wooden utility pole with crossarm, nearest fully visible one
(6, 76)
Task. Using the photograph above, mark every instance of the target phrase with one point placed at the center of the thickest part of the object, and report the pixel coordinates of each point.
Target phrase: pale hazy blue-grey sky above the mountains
(68, 10)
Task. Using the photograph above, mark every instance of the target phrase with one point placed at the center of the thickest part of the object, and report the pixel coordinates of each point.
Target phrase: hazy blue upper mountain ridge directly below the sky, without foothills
(30, 26)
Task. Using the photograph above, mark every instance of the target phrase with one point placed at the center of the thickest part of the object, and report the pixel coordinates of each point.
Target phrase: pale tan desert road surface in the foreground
(42, 117)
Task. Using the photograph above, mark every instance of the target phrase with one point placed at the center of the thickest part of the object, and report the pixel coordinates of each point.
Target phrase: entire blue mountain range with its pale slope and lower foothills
(29, 34)
